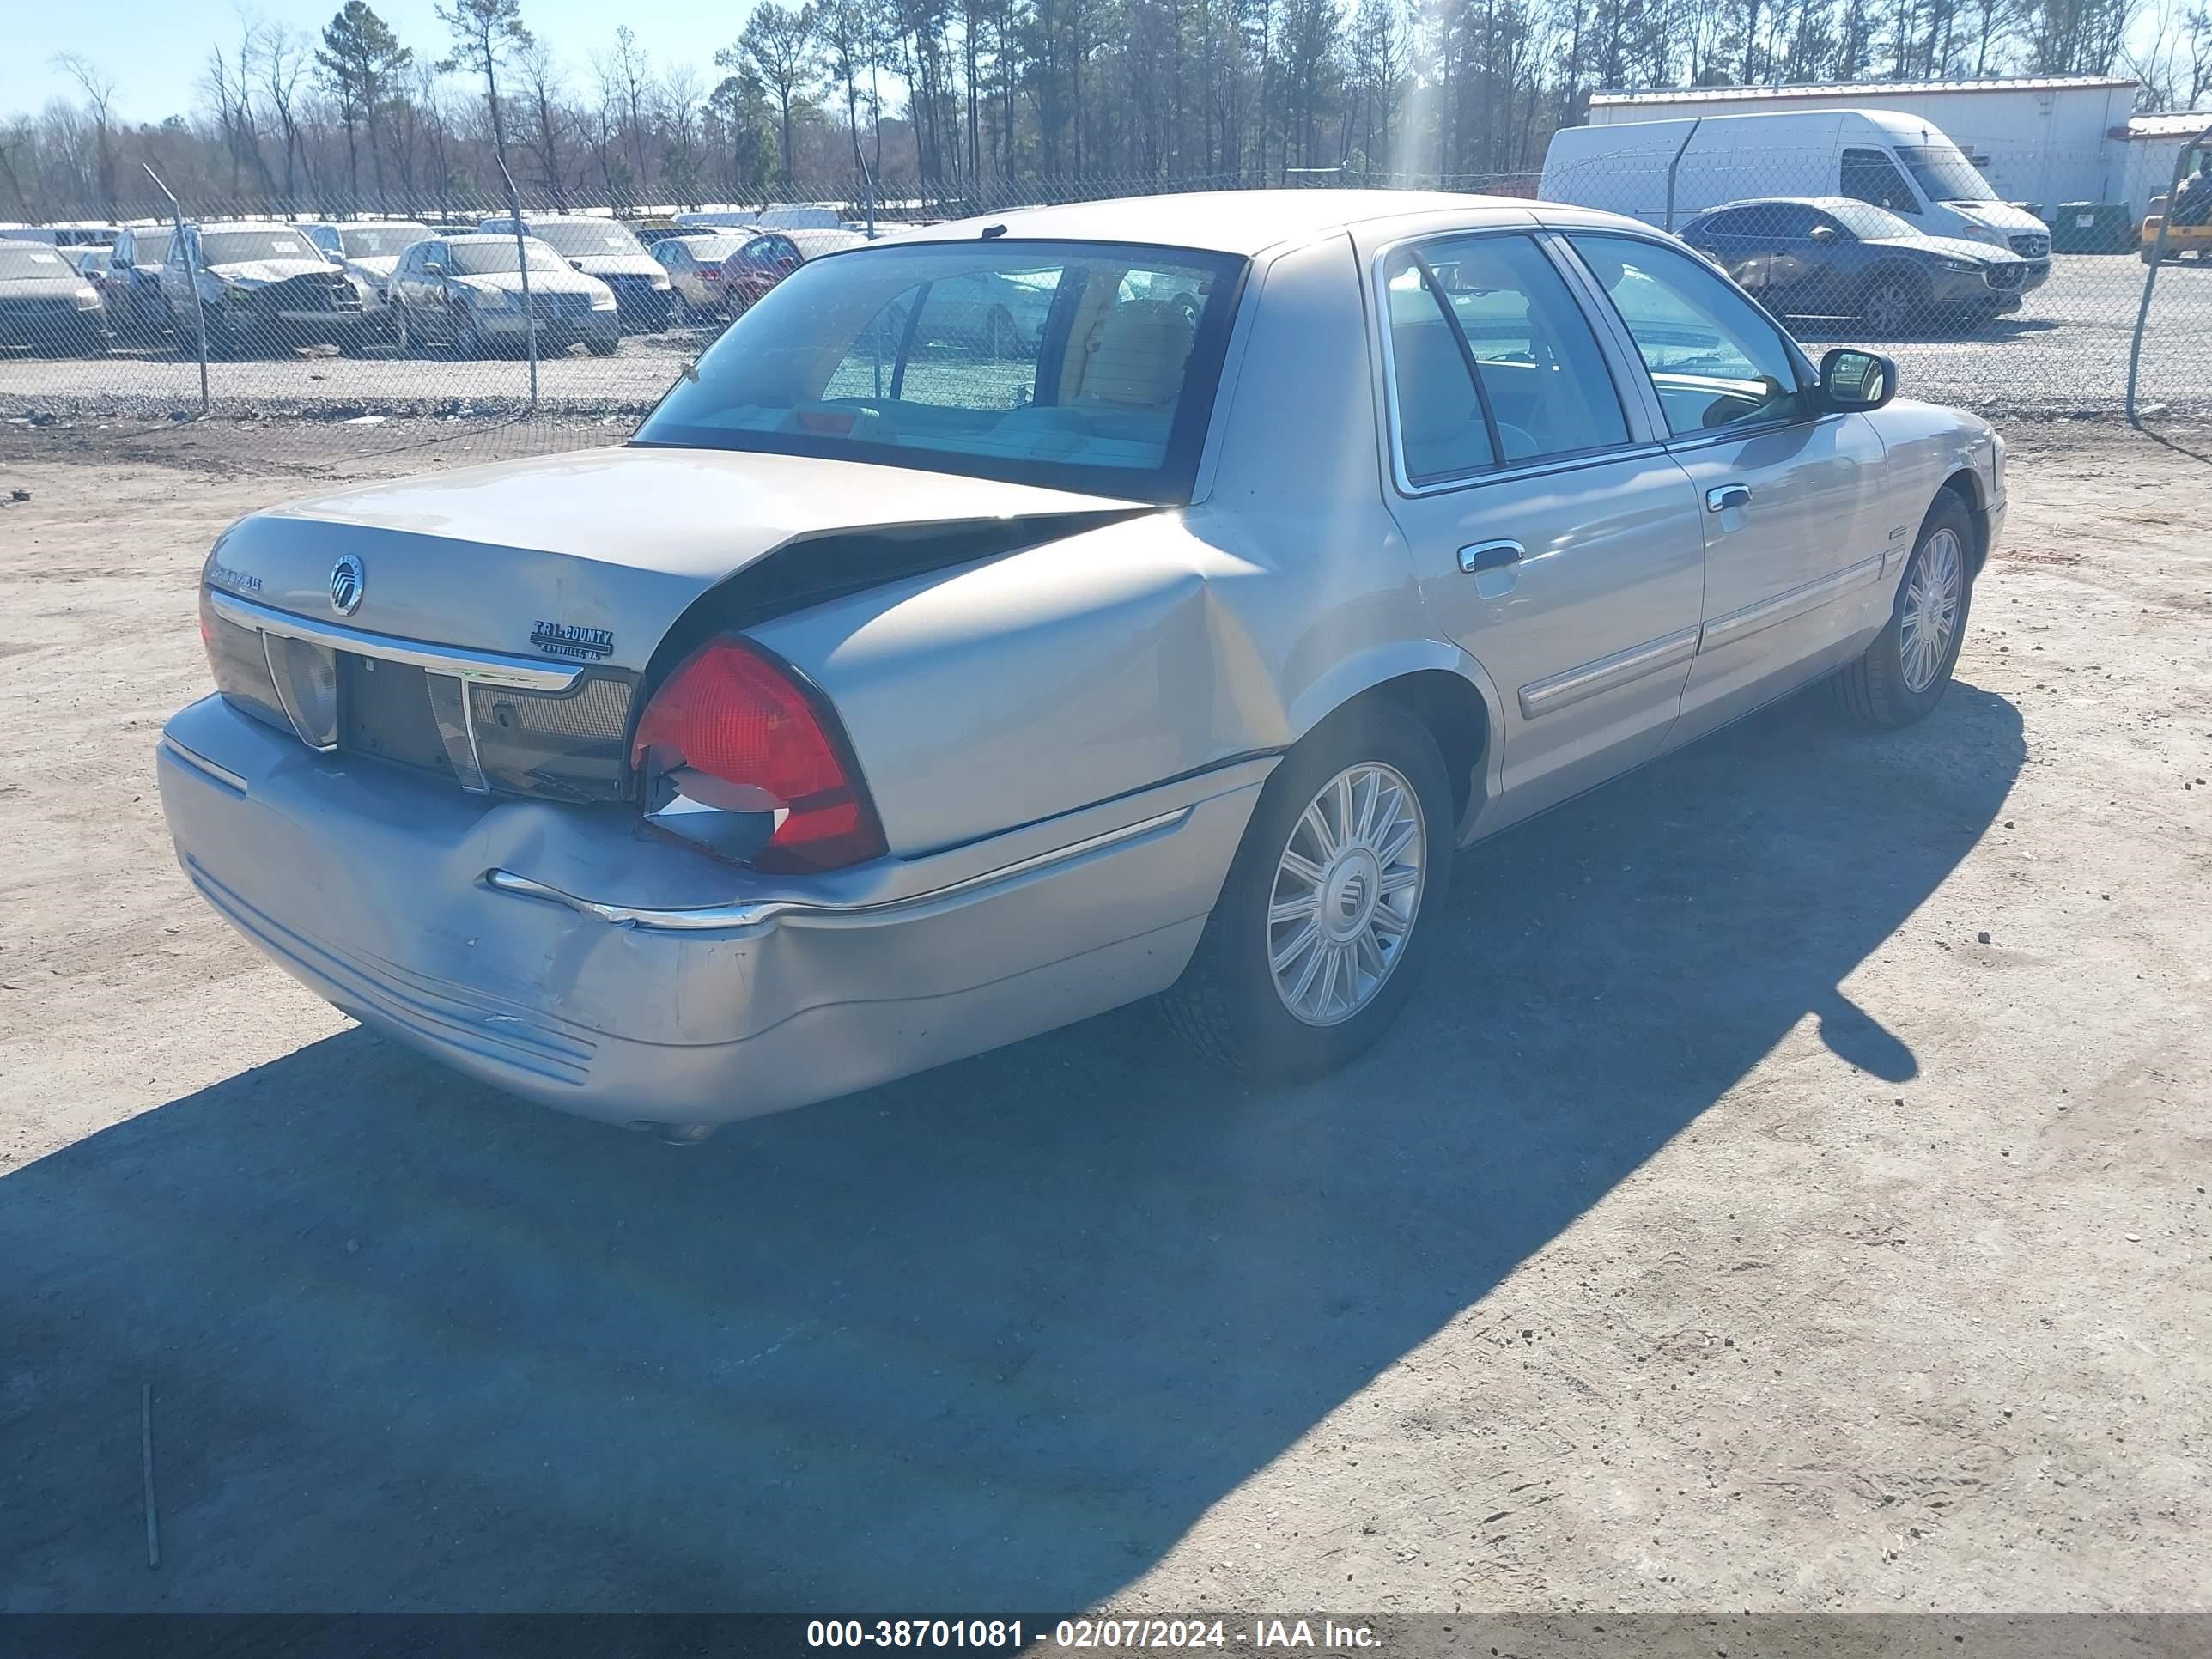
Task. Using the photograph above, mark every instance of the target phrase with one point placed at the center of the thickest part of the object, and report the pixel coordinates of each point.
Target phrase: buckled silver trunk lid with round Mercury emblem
(585, 556)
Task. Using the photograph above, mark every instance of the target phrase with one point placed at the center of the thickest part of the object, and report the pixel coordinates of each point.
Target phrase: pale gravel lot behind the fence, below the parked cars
(2065, 351)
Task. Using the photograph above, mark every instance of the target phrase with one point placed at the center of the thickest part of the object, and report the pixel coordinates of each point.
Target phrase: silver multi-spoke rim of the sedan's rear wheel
(1346, 895)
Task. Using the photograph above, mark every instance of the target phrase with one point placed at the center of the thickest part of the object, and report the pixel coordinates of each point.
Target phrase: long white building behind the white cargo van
(2041, 140)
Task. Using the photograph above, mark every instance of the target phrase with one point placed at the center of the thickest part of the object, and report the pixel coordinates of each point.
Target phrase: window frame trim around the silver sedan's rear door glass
(1647, 426)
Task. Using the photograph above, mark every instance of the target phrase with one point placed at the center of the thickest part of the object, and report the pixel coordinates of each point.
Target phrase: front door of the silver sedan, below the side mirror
(1797, 532)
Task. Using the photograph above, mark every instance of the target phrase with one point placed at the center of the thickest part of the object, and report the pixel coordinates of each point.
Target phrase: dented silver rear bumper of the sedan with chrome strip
(623, 977)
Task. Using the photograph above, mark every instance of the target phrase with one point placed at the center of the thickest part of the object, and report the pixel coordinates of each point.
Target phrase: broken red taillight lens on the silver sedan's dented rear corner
(733, 713)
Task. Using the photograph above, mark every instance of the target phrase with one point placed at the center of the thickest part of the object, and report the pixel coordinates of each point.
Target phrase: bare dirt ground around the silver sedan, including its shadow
(1786, 1196)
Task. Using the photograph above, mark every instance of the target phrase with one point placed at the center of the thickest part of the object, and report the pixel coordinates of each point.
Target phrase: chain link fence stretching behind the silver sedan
(570, 328)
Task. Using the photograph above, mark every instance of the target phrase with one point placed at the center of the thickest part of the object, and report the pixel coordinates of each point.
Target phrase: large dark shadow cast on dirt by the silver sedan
(981, 1339)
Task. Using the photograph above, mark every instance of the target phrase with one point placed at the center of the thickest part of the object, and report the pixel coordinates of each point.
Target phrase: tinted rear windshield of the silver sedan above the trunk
(1074, 366)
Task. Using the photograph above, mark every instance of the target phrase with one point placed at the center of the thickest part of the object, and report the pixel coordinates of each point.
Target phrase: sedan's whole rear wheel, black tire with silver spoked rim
(1231, 1005)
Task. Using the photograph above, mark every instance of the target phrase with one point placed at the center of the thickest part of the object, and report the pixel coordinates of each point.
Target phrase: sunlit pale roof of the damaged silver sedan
(1233, 222)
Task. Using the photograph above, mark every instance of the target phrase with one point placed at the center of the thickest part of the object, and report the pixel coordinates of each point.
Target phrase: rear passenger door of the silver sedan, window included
(1552, 539)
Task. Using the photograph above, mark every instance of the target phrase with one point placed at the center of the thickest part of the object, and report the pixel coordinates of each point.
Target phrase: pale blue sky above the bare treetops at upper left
(156, 50)
